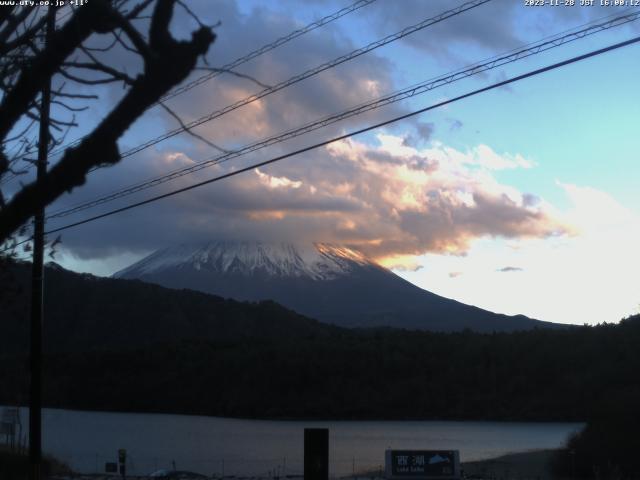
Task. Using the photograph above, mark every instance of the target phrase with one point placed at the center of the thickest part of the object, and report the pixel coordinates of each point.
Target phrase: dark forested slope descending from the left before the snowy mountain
(84, 312)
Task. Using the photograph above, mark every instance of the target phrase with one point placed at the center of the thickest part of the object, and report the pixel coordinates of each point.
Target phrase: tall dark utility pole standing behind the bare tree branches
(35, 356)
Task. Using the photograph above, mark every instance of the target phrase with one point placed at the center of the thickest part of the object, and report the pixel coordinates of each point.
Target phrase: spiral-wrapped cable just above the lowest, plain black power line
(397, 96)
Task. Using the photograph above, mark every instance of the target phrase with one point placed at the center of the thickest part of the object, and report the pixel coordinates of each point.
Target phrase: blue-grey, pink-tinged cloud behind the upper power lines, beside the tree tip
(333, 90)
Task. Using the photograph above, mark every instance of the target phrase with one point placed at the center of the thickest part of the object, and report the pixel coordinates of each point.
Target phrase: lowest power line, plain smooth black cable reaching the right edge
(351, 134)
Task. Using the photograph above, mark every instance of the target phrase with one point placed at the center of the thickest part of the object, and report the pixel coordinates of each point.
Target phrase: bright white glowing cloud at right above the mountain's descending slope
(586, 277)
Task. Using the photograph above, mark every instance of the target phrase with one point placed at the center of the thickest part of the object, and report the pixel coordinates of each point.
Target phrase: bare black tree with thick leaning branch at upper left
(72, 57)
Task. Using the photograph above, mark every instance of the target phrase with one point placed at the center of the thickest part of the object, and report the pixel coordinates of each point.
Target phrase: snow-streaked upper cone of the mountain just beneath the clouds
(317, 261)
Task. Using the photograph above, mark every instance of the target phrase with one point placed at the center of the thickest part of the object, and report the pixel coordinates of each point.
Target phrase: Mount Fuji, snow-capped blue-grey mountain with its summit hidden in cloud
(330, 283)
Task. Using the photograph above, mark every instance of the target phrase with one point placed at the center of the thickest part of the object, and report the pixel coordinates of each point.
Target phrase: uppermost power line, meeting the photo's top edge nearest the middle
(241, 60)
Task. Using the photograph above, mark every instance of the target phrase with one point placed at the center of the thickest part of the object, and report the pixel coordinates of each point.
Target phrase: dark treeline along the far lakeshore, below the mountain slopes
(575, 374)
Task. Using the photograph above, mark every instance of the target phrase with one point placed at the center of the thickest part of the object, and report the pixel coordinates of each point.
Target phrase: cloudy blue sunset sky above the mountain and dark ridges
(523, 199)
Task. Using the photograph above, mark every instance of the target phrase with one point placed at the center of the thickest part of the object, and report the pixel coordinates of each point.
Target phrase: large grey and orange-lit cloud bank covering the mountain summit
(389, 200)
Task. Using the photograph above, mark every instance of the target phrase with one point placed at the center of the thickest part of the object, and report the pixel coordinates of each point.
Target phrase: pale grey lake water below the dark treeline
(223, 446)
